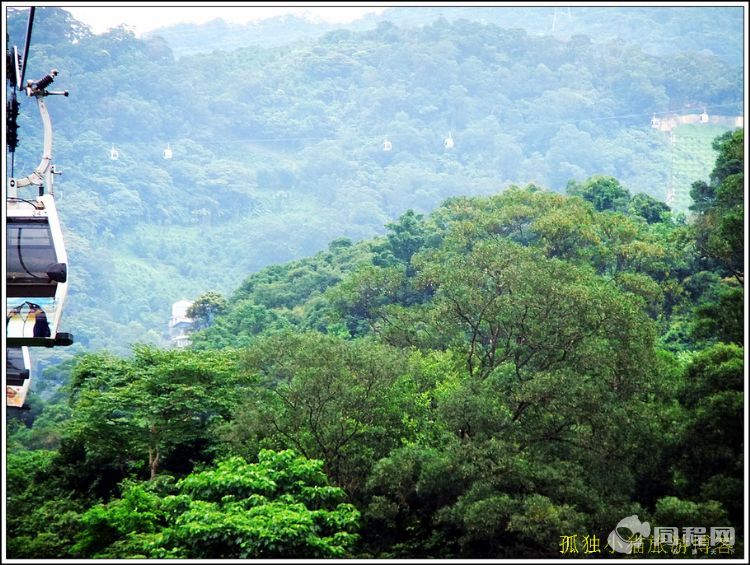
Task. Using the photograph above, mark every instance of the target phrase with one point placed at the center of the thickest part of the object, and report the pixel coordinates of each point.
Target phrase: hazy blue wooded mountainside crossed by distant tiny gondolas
(267, 138)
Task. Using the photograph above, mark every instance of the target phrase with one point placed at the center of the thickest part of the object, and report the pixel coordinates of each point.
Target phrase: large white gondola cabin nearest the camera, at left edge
(36, 273)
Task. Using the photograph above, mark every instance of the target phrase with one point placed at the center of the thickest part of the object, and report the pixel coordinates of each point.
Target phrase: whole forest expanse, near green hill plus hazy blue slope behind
(476, 351)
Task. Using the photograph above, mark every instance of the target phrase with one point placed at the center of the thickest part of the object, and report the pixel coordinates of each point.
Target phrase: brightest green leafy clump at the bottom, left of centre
(282, 506)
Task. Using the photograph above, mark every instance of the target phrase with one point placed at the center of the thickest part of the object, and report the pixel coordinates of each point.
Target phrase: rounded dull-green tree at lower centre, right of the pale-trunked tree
(325, 397)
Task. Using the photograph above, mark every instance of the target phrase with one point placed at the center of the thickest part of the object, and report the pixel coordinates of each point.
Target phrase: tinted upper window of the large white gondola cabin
(31, 254)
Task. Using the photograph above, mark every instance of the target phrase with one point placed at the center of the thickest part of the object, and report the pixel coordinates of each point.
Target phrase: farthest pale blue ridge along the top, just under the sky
(659, 30)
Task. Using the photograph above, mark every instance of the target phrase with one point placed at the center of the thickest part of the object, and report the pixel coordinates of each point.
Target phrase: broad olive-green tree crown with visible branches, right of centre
(508, 304)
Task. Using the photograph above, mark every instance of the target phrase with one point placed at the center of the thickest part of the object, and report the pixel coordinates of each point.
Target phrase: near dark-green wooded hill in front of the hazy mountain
(479, 382)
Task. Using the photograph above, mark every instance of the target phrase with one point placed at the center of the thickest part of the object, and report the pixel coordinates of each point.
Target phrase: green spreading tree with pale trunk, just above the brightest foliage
(156, 408)
